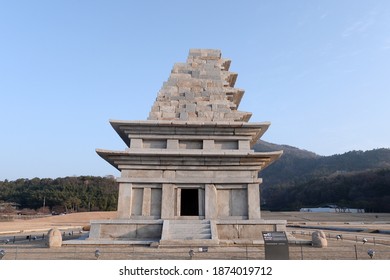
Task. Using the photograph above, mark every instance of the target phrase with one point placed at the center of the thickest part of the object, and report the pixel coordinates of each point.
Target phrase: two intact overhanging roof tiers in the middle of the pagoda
(177, 145)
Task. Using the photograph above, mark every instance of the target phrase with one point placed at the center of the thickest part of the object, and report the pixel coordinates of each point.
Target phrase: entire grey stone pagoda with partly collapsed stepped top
(188, 174)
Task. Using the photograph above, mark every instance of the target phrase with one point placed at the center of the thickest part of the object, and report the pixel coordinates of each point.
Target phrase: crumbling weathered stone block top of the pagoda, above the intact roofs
(202, 84)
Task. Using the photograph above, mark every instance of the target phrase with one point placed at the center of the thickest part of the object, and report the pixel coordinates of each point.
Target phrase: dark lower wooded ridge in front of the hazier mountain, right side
(369, 190)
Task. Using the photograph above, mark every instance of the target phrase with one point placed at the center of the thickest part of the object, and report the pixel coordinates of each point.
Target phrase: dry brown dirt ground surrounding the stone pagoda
(353, 228)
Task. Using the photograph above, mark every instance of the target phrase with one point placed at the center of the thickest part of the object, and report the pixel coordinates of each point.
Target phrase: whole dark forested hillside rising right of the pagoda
(302, 179)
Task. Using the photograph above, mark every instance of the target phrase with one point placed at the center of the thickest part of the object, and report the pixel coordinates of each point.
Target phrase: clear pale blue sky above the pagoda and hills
(318, 70)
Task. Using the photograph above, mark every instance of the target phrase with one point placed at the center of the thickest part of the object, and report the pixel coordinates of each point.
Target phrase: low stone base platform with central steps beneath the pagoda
(146, 232)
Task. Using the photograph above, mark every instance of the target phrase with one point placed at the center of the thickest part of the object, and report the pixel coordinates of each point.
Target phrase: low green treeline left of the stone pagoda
(69, 194)
